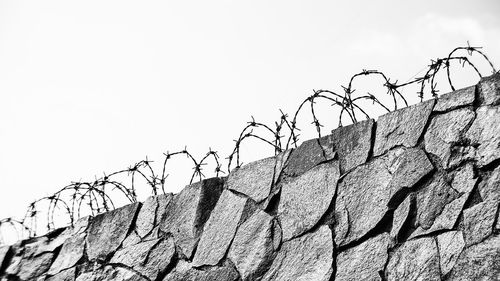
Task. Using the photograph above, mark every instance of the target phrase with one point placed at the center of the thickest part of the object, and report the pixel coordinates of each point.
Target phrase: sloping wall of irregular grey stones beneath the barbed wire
(413, 196)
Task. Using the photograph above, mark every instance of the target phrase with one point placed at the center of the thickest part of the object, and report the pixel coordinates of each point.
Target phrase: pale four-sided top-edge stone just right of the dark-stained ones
(402, 127)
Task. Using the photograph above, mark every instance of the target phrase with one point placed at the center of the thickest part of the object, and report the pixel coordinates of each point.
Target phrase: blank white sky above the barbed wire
(88, 87)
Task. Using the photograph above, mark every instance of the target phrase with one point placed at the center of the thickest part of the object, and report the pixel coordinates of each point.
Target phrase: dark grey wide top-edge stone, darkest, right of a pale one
(309, 154)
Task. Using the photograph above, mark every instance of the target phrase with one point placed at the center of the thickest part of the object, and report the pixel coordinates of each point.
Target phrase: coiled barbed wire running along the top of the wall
(94, 197)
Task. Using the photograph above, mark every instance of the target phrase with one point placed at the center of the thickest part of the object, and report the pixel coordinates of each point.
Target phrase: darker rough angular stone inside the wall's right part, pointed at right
(432, 199)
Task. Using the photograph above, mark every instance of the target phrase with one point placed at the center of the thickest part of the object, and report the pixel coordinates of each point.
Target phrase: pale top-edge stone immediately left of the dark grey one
(253, 179)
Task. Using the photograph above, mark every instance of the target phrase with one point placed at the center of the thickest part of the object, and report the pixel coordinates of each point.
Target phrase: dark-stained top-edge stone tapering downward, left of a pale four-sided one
(352, 144)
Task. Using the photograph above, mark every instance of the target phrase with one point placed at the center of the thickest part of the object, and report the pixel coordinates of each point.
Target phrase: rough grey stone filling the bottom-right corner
(479, 262)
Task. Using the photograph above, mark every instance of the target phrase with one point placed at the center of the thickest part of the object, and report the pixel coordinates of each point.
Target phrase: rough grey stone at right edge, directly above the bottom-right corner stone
(478, 222)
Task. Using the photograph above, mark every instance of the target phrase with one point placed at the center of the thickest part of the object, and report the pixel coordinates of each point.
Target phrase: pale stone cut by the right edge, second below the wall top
(484, 133)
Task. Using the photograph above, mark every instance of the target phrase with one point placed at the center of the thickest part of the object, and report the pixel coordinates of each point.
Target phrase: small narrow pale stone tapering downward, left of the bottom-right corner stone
(450, 245)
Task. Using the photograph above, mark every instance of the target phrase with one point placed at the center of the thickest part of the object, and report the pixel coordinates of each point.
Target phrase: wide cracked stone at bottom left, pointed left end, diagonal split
(149, 258)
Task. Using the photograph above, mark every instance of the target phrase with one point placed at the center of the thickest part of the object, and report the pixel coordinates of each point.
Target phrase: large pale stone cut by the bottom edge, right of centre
(308, 257)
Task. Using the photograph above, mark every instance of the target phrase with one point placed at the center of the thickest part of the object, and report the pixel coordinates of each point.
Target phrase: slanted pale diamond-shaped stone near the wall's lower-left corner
(71, 252)
